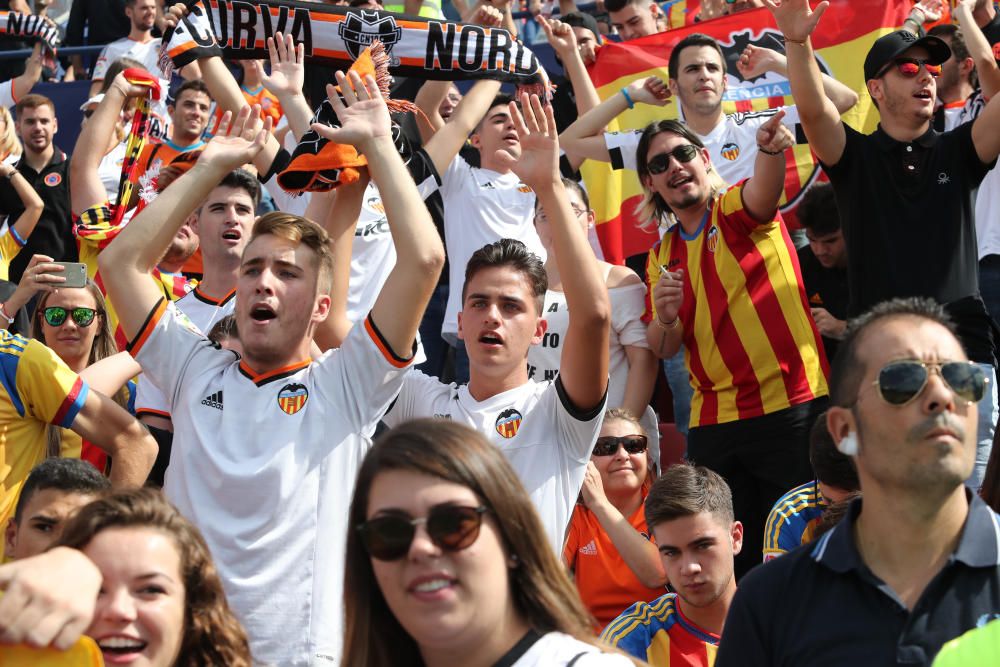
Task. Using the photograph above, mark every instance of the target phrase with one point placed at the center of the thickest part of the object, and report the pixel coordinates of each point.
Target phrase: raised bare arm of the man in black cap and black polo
(819, 116)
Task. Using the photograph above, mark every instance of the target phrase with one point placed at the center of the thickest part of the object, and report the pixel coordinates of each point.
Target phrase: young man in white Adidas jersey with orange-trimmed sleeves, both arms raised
(266, 447)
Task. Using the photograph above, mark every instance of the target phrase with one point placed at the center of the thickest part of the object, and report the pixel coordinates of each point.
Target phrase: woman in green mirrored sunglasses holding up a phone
(73, 323)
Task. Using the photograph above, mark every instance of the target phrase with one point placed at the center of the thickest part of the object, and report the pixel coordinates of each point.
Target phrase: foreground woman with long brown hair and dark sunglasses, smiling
(447, 562)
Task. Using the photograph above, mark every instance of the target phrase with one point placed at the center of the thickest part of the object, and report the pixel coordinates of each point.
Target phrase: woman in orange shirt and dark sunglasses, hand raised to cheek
(608, 549)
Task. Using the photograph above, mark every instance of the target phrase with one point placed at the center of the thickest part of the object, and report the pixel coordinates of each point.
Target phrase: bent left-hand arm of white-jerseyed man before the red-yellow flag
(584, 139)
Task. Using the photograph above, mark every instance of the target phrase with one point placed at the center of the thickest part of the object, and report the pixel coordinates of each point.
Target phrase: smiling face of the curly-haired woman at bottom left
(139, 619)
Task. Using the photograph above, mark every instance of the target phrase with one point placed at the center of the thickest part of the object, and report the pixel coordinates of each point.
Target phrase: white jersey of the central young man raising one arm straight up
(547, 441)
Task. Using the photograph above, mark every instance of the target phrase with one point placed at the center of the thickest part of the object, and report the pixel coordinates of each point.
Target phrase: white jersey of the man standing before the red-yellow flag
(732, 144)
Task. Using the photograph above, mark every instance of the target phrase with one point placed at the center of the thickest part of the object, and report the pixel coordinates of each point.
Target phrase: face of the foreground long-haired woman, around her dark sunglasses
(441, 598)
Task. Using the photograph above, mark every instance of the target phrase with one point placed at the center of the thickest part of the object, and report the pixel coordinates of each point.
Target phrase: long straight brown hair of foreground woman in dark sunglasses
(541, 592)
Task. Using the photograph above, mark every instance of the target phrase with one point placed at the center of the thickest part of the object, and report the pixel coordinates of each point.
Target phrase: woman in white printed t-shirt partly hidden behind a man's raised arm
(632, 366)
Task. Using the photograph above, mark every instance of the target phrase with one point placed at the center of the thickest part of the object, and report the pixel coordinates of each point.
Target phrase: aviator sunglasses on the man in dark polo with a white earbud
(900, 382)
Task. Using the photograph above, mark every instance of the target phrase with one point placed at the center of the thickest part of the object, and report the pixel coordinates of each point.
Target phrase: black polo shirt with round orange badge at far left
(53, 235)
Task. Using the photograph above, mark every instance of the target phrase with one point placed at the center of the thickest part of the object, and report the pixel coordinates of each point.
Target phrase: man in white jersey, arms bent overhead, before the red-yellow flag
(697, 71)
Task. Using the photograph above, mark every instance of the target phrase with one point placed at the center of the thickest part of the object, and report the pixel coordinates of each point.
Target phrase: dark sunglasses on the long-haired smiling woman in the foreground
(450, 527)
